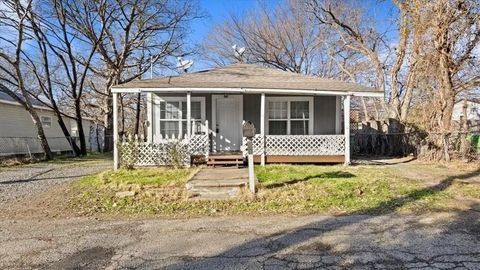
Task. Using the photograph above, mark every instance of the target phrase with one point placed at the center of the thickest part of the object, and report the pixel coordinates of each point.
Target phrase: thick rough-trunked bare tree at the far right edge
(455, 34)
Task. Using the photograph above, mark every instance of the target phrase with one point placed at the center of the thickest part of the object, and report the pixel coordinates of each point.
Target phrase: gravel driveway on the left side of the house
(21, 182)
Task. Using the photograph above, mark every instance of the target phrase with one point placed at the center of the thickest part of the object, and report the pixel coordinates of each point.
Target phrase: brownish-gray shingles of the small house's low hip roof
(247, 76)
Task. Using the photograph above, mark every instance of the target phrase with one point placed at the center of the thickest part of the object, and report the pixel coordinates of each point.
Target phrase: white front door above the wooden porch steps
(229, 117)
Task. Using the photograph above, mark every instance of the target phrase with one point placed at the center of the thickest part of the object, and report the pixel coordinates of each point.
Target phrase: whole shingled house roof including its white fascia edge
(248, 78)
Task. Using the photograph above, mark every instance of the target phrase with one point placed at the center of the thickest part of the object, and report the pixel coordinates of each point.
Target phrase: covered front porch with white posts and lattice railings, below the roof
(279, 139)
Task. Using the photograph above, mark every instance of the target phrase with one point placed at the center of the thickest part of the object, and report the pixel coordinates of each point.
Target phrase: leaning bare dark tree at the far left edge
(15, 17)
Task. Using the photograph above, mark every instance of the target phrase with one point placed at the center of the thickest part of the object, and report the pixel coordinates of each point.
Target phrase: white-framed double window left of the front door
(172, 116)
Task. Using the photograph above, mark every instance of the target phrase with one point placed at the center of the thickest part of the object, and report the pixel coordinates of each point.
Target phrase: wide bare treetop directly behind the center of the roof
(290, 43)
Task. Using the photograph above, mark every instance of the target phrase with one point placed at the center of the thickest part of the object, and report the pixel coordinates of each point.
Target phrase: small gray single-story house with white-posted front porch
(298, 118)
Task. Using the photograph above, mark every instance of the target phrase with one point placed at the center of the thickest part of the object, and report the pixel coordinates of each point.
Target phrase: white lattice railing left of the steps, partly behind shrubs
(159, 153)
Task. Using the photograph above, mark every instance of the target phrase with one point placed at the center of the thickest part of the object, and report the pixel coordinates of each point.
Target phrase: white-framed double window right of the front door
(290, 115)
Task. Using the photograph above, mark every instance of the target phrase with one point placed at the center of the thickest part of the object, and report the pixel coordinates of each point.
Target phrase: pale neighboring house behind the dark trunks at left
(18, 134)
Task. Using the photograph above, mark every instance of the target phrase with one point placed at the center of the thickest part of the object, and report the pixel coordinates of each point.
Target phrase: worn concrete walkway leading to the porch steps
(218, 183)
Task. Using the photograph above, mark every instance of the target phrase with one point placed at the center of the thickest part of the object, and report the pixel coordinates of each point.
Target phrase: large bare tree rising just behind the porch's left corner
(136, 32)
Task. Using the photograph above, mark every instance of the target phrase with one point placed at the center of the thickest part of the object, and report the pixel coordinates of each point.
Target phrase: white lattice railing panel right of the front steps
(298, 145)
